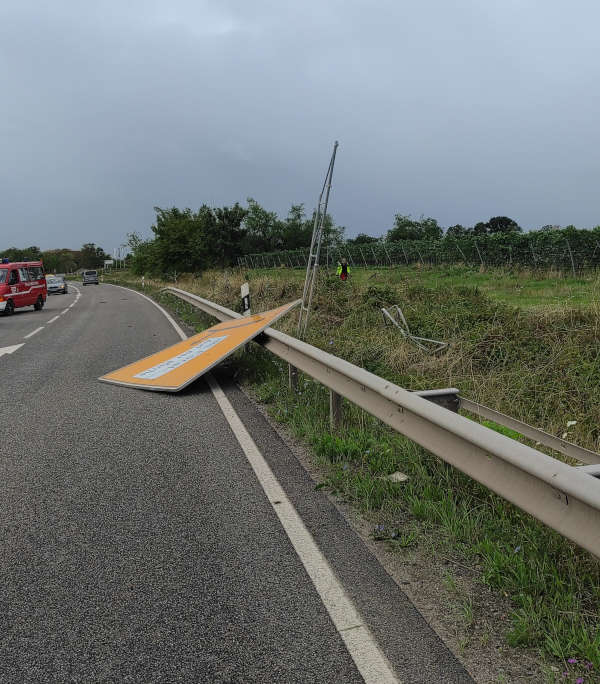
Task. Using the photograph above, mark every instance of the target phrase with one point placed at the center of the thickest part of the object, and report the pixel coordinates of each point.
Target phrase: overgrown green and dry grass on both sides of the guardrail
(523, 343)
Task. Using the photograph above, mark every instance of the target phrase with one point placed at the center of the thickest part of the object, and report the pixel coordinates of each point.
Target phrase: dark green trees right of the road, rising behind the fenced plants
(186, 241)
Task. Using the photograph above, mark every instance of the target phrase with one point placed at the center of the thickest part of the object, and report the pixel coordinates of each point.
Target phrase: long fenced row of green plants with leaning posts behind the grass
(564, 250)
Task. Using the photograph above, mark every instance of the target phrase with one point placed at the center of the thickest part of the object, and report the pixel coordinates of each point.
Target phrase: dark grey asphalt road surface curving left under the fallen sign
(137, 542)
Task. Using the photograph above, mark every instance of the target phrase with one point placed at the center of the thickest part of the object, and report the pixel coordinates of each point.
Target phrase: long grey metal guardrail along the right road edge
(565, 498)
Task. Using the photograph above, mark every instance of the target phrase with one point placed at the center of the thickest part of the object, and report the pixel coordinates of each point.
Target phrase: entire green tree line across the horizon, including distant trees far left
(187, 241)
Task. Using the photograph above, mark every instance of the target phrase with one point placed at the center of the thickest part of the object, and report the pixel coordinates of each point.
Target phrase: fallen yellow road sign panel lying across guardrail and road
(171, 369)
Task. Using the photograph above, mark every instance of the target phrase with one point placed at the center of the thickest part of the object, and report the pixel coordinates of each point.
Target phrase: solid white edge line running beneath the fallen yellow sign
(361, 644)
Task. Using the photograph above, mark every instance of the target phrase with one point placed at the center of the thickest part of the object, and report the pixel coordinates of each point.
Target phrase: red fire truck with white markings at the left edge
(22, 283)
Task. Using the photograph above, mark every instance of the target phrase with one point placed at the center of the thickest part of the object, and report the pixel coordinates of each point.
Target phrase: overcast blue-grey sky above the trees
(456, 109)
